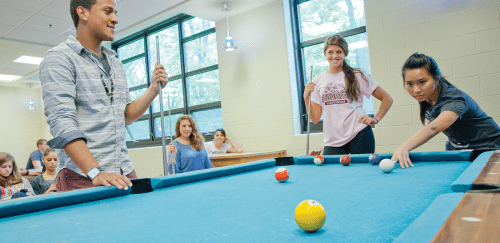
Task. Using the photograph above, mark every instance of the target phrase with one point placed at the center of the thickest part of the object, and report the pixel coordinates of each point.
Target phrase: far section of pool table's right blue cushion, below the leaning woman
(464, 182)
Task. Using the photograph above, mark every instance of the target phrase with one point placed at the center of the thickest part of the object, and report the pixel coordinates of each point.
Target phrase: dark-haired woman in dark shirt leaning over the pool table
(448, 109)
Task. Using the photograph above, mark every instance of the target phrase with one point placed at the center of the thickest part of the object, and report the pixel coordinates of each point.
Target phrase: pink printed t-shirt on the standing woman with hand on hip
(340, 117)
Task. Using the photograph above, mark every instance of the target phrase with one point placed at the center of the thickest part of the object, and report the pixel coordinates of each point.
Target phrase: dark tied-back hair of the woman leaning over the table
(417, 61)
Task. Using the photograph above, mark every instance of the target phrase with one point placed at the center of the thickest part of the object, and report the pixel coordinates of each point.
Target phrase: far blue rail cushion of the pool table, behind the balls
(462, 155)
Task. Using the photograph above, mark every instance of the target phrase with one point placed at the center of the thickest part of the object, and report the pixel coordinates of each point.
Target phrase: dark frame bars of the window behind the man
(150, 116)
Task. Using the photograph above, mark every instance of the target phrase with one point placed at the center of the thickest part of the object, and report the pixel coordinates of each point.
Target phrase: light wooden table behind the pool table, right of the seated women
(236, 158)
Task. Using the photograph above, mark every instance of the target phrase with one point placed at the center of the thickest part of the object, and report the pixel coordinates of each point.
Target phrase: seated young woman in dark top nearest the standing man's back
(44, 183)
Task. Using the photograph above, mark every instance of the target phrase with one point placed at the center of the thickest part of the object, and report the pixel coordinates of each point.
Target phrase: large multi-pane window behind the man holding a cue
(188, 52)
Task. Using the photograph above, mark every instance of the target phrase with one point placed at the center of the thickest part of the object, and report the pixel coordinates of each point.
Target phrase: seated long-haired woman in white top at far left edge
(12, 185)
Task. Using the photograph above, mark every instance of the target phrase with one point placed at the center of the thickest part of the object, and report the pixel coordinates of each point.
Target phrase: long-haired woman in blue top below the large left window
(188, 152)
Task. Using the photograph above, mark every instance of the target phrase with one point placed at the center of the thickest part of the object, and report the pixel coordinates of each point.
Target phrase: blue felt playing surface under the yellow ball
(362, 205)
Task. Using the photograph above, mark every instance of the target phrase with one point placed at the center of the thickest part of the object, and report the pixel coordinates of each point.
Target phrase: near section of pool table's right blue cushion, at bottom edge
(430, 221)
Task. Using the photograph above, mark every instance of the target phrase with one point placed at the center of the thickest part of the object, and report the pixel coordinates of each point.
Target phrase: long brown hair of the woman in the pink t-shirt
(351, 82)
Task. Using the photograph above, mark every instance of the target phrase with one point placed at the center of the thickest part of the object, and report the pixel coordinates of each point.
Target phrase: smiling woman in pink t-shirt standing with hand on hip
(337, 94)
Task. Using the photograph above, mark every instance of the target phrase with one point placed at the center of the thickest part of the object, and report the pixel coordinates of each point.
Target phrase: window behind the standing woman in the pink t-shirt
(313, 21)
